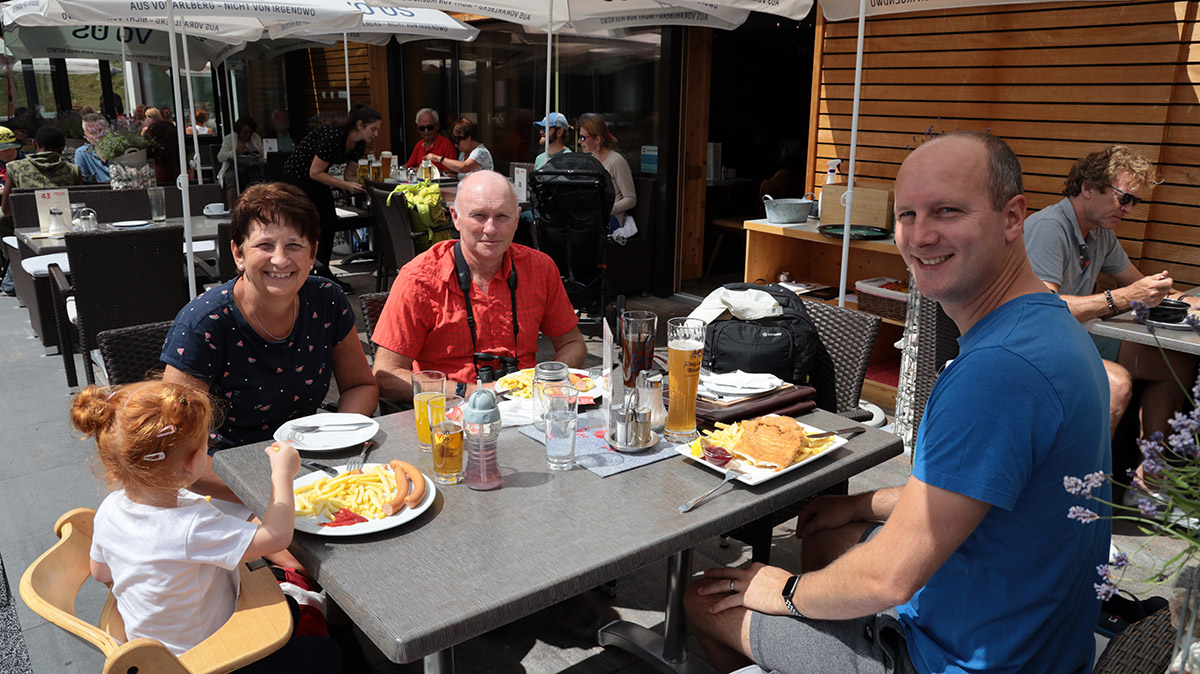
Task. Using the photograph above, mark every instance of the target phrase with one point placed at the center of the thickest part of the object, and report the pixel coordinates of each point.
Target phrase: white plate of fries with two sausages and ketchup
(320, 497)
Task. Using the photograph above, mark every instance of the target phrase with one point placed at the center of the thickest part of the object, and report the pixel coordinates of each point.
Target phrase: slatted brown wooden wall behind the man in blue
(1055, 80)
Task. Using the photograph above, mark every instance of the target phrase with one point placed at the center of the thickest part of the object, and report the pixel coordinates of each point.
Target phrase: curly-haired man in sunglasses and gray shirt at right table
(1072, 242)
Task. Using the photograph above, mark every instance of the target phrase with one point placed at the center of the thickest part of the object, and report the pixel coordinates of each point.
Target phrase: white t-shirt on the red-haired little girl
(175, 569)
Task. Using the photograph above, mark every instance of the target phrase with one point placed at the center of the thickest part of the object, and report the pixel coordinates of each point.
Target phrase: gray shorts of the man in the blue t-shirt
(875, 645)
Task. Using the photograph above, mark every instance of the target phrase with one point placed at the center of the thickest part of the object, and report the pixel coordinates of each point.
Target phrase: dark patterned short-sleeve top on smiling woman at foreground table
(262, 383)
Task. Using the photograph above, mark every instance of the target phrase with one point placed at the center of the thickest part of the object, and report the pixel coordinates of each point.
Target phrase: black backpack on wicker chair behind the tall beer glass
(787, 346)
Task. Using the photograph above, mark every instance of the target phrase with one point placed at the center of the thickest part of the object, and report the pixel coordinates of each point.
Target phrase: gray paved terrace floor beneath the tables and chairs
(49, 472)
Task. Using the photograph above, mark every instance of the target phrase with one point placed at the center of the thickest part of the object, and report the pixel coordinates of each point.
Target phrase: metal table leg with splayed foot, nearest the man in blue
(669, 653)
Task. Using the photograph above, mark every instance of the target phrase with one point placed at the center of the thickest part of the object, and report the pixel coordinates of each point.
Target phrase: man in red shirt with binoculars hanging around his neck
(425, 323)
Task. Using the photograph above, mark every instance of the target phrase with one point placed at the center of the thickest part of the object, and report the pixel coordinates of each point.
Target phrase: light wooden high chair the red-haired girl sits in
(261, 624)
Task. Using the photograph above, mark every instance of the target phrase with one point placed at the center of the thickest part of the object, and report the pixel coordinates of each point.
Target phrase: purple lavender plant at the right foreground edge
(1168, 504)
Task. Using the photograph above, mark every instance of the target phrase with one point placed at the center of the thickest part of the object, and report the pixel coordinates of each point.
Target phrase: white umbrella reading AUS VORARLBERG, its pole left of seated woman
(277, 17)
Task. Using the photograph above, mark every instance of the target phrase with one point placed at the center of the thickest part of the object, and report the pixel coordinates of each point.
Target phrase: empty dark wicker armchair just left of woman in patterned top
(121, 279)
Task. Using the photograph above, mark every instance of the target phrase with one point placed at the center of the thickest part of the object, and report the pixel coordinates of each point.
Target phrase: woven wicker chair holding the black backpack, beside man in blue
(849, 338)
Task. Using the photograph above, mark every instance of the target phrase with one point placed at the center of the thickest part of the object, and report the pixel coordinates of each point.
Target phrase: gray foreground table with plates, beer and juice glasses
(478, 561)
